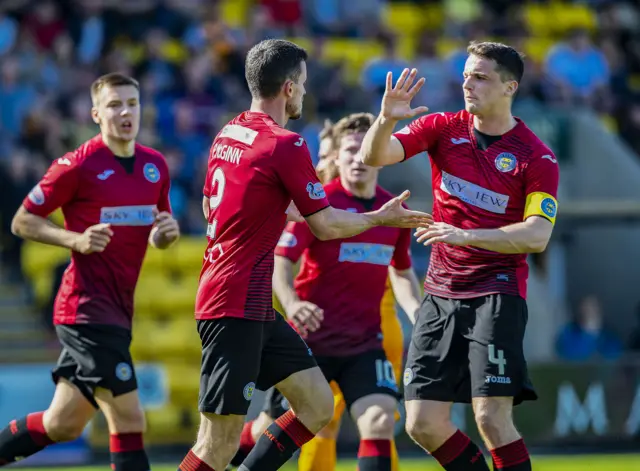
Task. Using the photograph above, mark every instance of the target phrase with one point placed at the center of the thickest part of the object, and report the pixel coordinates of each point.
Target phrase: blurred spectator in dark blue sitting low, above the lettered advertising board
(586, 338)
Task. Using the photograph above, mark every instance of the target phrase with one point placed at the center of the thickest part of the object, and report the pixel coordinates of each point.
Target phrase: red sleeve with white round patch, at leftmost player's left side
(55, 189)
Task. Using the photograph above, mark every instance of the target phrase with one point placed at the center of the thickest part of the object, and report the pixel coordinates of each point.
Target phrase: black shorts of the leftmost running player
(96, 355)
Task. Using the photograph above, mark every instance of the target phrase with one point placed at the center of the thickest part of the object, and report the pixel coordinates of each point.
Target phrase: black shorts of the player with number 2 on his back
(240, 355)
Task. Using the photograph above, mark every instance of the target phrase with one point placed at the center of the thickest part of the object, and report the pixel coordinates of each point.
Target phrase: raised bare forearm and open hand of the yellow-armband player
(379, 147)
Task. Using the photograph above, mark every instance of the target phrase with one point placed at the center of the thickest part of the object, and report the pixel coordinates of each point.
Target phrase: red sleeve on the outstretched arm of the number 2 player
(296, 172)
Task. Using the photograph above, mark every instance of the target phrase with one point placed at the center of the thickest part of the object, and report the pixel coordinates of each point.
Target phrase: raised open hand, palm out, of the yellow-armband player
(396, 102)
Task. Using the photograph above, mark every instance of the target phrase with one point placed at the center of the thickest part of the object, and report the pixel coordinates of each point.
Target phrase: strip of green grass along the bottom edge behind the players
(555, 463)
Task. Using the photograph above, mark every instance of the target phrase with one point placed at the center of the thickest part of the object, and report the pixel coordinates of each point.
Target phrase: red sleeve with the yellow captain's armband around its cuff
(542, 177)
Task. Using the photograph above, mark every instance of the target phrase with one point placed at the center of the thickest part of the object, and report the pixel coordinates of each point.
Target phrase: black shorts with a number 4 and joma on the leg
(464, 348)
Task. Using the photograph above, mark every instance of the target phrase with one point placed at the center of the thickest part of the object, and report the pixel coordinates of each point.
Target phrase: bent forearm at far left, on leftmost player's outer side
(38, 229)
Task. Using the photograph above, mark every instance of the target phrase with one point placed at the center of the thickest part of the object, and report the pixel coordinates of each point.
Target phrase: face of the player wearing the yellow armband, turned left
(484, 91)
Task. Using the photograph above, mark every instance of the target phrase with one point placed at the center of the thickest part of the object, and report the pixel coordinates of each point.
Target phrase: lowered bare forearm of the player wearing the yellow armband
(512, 239)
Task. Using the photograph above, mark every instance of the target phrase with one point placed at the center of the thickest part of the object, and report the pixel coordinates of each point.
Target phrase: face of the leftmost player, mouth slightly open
(117, 111)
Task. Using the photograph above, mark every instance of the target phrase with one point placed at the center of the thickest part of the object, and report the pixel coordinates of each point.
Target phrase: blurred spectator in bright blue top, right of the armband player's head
(577, 70)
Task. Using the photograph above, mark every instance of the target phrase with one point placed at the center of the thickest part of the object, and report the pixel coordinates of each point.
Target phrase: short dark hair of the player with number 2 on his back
(270, 63)
